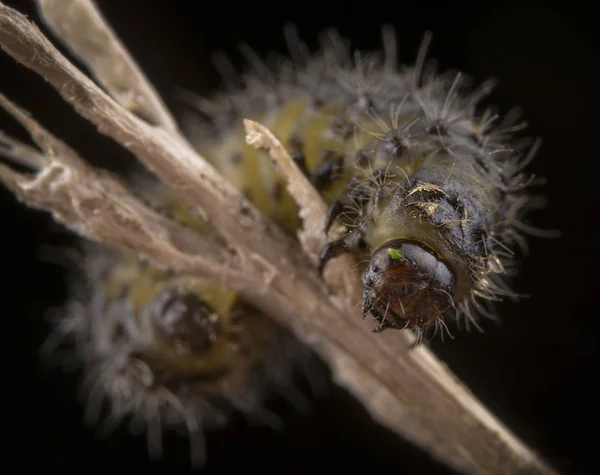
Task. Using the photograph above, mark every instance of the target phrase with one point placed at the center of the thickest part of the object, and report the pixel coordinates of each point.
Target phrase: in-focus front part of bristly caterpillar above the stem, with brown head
(433, 191)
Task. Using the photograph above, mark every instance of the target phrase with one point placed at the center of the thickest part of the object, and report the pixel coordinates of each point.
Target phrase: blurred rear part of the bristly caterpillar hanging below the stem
(174, 352)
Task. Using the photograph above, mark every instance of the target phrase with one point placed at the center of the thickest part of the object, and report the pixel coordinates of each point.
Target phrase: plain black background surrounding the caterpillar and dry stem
(536, 371)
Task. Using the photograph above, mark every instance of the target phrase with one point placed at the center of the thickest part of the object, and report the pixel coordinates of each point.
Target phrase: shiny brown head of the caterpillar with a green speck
(405, 285)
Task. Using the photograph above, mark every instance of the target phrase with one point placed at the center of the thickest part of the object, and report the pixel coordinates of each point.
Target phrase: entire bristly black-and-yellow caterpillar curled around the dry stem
(432, 192)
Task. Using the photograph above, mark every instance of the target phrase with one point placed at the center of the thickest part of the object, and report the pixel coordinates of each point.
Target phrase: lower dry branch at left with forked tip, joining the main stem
(97, 205)
